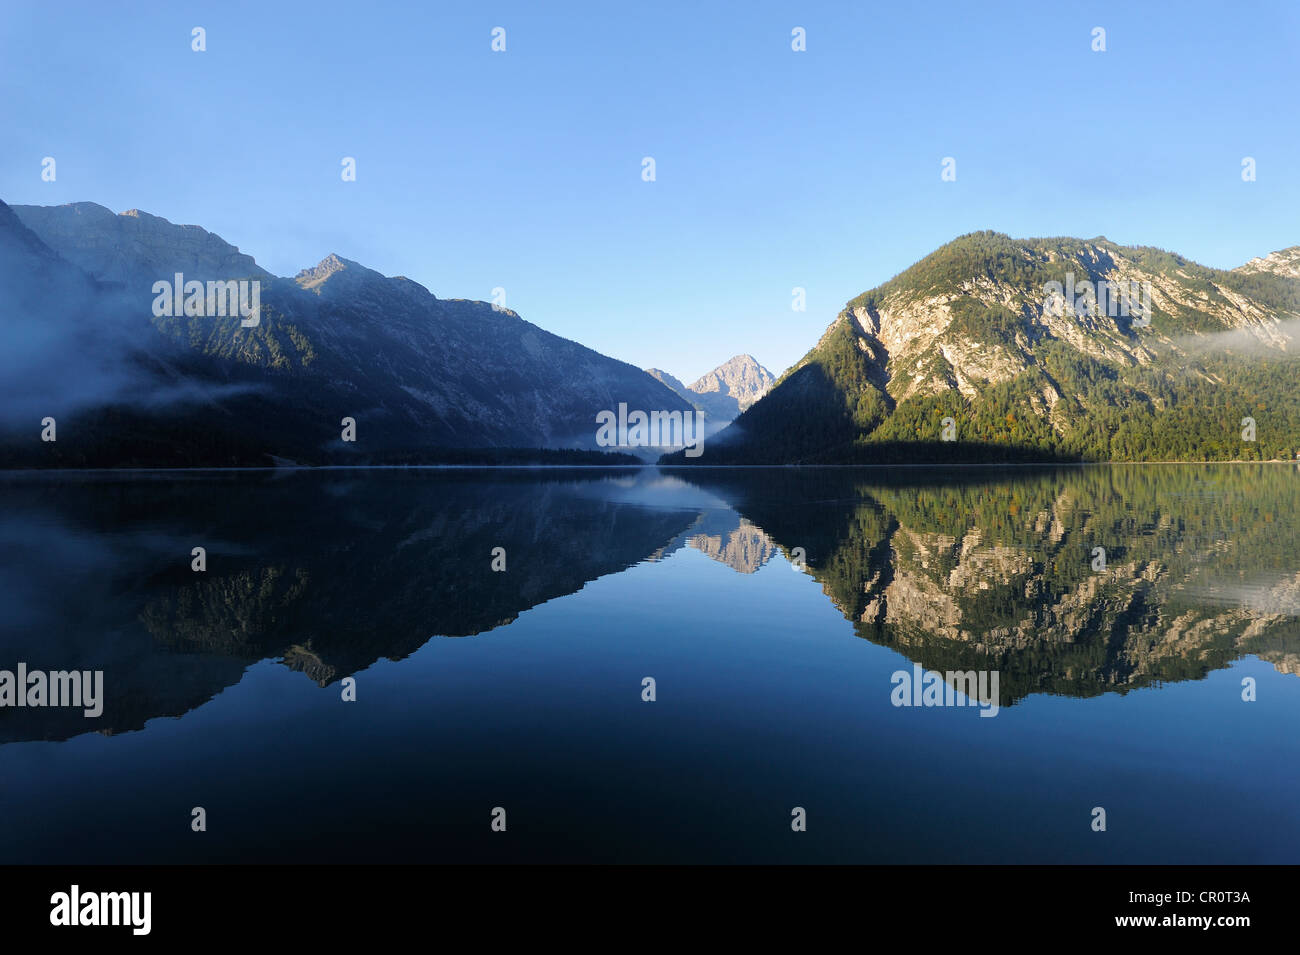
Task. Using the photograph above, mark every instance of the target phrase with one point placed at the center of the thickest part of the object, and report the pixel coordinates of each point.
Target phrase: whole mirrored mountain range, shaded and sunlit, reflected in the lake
(331, 572)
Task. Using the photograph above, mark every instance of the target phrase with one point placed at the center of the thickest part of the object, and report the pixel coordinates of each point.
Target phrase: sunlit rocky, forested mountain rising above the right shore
(977, 354)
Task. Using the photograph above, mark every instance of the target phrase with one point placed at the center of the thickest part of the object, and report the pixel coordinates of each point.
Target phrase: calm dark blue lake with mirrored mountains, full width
(772, 607)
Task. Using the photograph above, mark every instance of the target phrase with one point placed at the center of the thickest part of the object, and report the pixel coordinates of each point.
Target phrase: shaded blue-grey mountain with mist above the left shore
(415, 372)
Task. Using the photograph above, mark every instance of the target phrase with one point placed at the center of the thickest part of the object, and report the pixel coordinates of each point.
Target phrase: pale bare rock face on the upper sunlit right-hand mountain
(931, 340)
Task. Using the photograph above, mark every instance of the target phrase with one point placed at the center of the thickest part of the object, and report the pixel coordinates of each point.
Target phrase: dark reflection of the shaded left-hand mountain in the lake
(326, 572)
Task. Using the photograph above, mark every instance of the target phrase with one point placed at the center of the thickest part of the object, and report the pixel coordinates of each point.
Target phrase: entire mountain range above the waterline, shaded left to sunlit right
(961, 358)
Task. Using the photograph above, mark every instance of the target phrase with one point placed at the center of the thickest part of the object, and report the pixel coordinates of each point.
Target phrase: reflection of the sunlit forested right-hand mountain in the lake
(982, 570)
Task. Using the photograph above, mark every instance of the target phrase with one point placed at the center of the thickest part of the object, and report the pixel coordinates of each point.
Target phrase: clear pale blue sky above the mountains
(775, 170)
